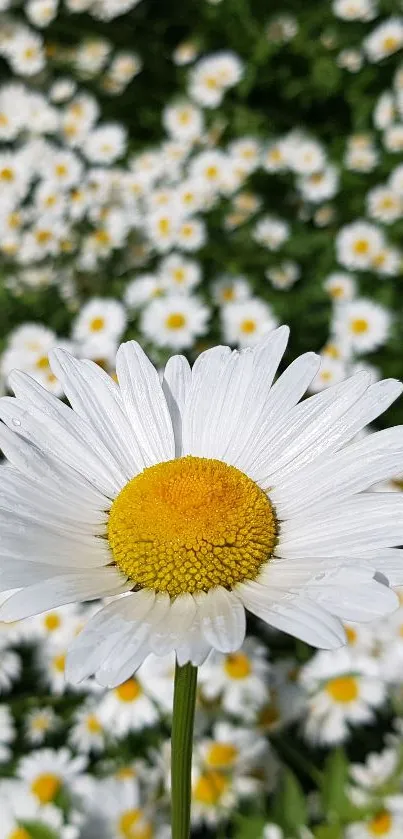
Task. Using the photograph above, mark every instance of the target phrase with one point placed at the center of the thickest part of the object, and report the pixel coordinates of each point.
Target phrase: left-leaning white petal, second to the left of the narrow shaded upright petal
(97, 399)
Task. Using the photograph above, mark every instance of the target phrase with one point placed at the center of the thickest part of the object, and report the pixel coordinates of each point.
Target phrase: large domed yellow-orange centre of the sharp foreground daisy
(190, 525)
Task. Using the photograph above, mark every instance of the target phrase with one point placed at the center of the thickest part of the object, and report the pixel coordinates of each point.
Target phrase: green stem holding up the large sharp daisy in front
(182, 742)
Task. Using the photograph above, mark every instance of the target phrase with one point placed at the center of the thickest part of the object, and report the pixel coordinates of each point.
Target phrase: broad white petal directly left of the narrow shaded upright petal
(145, 403)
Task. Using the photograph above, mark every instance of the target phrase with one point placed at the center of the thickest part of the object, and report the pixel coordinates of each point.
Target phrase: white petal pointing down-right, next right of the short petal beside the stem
(297, 616)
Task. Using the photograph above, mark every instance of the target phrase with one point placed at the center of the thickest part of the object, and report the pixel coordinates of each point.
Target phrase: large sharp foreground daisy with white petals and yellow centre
(243, 499)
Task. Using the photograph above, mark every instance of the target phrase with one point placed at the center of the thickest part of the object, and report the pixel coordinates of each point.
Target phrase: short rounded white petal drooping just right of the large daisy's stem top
(222, 618)
